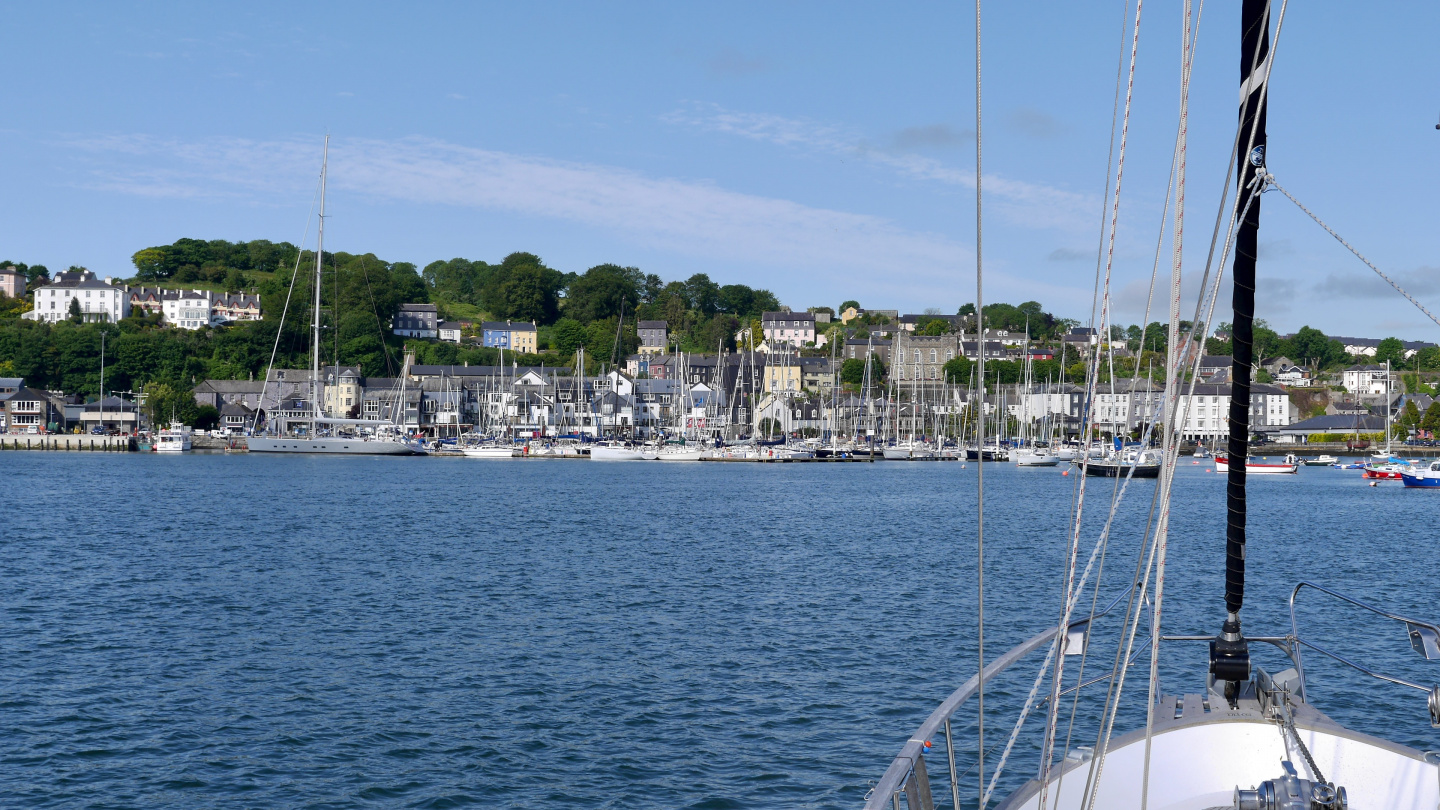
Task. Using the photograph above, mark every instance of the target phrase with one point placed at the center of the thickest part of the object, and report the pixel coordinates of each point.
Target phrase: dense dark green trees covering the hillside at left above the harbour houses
(359, 296)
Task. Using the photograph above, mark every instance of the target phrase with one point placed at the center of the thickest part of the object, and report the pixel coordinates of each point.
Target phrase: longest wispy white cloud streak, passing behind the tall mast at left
(676, 215)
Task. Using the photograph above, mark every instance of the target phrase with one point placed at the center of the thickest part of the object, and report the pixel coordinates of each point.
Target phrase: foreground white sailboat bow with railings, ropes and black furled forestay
(1246, 739)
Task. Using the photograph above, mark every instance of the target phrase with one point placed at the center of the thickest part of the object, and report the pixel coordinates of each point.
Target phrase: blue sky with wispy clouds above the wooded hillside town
(822, 151)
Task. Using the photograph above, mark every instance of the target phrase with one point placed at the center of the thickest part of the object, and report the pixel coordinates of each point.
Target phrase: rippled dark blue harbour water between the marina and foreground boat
(264, 632)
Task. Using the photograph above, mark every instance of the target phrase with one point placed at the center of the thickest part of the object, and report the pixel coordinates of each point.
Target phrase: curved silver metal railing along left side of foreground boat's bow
(908, 775)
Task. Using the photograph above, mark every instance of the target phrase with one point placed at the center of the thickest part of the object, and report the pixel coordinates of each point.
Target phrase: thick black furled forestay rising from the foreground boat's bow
(1230, 654)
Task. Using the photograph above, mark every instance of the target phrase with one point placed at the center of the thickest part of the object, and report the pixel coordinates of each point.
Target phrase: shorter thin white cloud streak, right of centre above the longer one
(1025, 204)
